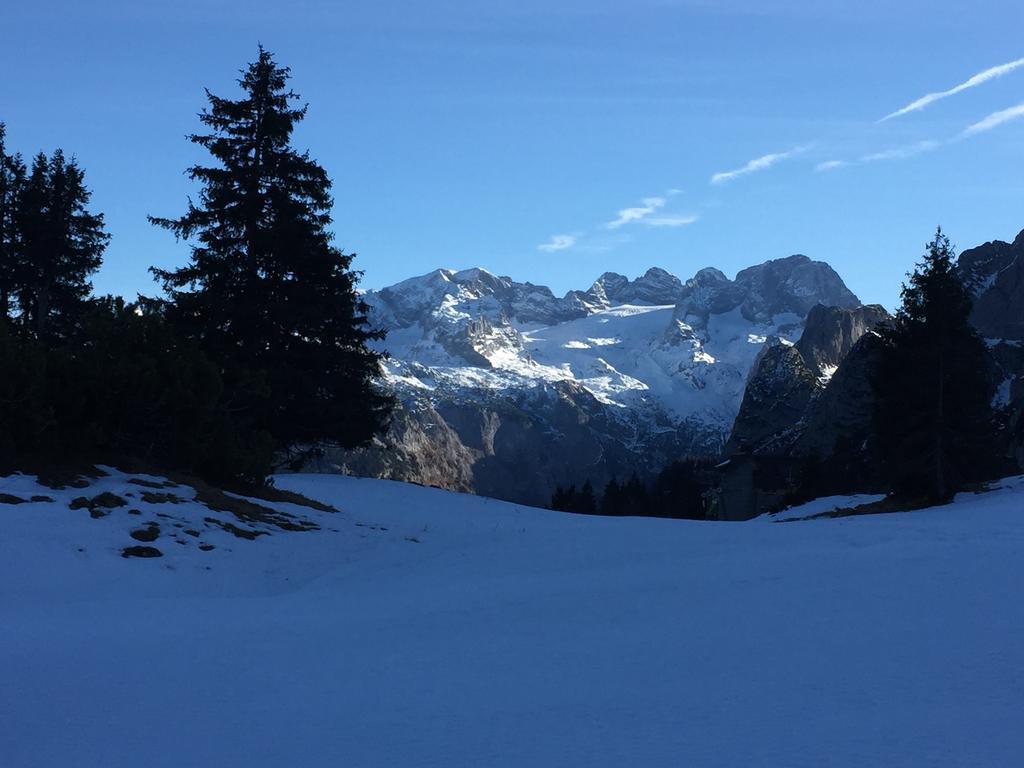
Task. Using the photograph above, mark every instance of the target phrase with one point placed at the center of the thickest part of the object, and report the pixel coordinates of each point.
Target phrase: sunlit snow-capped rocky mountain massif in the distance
(508, 391)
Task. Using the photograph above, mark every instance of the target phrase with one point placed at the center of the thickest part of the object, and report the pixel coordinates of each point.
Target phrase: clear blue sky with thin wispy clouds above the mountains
(515, 136)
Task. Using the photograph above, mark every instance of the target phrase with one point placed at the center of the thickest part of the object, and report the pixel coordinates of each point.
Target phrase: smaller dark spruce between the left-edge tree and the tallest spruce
(61, 245)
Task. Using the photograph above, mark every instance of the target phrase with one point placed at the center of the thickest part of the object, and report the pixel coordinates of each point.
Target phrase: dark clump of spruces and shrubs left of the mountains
(259, 350)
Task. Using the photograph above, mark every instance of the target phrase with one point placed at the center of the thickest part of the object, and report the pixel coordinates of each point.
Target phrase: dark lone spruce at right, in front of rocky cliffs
(934, 387)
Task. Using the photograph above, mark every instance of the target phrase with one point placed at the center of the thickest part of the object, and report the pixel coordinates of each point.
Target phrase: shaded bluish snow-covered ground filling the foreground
(422, 628)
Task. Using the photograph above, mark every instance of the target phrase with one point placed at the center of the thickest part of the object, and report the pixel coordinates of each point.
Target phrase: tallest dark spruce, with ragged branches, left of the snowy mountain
(266, 289)
